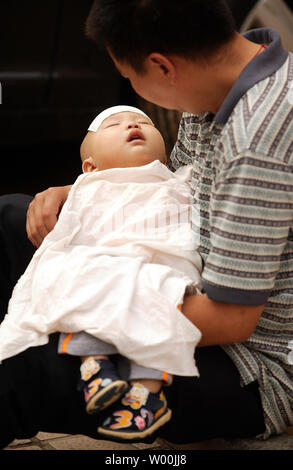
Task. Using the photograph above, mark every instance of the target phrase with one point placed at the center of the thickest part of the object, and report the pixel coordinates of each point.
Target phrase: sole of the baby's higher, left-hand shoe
(107, 396)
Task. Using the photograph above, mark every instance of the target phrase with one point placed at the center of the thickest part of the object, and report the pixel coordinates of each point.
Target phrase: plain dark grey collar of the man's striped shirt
(265, 64)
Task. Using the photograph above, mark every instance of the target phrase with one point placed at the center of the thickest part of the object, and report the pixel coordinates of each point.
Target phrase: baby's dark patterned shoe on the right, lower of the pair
(137, 416)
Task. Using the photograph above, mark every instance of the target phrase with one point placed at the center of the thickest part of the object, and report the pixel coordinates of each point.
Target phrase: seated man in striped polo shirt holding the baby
(236, 131)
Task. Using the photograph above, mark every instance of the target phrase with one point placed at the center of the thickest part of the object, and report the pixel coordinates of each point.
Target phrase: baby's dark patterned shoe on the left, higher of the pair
(101, 384)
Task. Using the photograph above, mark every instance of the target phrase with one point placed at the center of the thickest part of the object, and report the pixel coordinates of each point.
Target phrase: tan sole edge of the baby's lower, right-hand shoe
(120, 436)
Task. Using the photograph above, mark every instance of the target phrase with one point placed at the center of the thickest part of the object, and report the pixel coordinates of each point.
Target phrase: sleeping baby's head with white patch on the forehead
(120, 137)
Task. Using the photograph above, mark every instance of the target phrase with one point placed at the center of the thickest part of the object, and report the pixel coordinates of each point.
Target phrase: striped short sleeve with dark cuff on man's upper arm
(250, 219)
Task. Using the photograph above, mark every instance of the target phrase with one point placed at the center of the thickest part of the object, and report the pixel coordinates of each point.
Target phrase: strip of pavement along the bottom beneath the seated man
(60, 442)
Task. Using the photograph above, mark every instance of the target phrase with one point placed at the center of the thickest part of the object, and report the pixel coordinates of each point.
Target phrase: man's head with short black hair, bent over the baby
(164, 47)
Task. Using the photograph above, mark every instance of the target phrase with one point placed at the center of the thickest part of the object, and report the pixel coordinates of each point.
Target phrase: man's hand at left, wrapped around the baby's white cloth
(43, 213)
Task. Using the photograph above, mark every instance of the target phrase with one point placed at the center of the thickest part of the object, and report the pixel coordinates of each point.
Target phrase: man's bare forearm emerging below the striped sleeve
(221, 323)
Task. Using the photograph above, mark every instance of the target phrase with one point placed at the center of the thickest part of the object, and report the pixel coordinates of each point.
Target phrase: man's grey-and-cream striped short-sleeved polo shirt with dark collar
(242, 161)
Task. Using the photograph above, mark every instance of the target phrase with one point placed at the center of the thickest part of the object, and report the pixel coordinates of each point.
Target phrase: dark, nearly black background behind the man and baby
(54, 82)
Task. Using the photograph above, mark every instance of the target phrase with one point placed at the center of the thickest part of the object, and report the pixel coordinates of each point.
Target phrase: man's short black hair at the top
(132, 29)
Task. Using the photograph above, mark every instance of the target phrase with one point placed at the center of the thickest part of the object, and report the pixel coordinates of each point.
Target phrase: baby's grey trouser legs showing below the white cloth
(83, 344)
